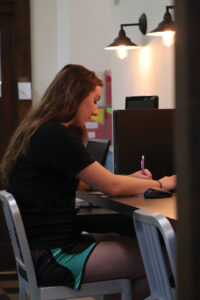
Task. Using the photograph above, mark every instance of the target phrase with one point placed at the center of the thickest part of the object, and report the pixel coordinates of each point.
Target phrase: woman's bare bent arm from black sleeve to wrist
(116, 185)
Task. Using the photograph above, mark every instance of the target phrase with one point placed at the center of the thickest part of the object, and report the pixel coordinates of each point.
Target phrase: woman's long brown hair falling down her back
(60, 103)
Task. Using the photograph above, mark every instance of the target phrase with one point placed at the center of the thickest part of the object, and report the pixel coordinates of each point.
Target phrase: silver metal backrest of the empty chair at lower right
(149, 226)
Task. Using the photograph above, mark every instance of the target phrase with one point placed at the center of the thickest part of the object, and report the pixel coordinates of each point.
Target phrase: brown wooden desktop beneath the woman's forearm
(127, 204)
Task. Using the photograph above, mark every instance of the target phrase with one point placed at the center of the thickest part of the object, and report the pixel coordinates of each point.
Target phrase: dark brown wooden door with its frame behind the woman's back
(15, 66)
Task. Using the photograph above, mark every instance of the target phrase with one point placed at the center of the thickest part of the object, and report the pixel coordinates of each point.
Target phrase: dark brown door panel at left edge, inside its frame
(8, 107)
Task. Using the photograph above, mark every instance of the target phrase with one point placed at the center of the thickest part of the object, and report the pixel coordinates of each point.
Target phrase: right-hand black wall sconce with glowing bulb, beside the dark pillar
(166, 28)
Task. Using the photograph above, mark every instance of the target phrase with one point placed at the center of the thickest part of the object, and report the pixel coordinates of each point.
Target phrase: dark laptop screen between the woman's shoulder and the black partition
(98, 148)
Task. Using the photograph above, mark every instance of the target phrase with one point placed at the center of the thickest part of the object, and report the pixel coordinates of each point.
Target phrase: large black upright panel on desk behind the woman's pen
(147, 132)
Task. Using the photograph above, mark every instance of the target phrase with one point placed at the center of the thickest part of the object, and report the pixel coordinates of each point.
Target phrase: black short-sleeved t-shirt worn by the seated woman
(44, 185)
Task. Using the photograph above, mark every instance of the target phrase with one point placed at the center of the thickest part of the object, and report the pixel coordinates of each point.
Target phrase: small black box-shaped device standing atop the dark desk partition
(140, 102)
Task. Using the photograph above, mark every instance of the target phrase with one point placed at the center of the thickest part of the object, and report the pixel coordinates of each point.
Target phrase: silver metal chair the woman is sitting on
(26, 273)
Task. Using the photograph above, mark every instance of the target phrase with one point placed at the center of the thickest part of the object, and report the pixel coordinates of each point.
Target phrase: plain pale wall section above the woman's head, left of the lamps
(67, 31)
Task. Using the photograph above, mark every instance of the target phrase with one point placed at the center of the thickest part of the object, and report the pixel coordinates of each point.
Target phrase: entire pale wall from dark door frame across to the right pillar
(76, 31)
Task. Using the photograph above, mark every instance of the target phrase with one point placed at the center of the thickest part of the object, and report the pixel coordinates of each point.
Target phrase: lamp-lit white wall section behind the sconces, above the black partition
(150, 69)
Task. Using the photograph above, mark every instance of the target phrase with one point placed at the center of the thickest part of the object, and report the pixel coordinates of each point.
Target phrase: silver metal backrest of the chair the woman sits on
(19, 242)
